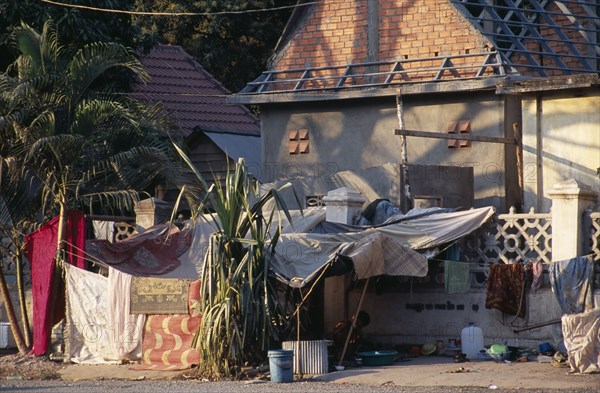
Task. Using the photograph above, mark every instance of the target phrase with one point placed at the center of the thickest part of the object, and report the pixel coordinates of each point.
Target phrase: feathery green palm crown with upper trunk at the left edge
(71, 136)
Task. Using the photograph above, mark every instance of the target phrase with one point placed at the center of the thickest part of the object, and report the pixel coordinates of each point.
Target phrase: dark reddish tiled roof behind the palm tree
(191, 94)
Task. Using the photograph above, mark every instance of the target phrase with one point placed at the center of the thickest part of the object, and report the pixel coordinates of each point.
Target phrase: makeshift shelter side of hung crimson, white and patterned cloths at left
(135, 301)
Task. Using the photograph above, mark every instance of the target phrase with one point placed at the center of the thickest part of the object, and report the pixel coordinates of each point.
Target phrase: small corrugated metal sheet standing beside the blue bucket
(313, 356)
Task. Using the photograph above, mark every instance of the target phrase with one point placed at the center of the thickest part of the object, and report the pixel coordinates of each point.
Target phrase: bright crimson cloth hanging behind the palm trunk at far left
(48, 287)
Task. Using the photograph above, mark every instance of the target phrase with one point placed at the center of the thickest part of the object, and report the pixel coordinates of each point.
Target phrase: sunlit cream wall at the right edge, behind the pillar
(561, 140)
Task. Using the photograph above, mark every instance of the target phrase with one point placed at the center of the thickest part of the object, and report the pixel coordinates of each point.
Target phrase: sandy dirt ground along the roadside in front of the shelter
(420, 371)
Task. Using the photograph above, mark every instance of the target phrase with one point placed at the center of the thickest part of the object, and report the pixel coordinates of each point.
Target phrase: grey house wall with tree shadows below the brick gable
(358, 134)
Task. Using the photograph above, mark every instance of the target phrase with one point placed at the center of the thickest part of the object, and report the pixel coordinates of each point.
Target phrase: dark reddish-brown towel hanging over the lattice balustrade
(506, 289)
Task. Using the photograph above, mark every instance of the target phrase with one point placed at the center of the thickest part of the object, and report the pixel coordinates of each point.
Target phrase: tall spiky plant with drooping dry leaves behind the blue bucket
(241, 316)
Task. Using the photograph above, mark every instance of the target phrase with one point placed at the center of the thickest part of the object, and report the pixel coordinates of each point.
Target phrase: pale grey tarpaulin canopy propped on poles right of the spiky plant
(299, 257)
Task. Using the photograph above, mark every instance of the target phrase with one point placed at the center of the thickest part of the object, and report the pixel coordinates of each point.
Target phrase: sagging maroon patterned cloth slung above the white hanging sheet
(150, 253)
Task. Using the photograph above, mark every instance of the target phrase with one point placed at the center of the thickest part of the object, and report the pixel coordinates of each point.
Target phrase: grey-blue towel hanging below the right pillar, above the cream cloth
(572, 281)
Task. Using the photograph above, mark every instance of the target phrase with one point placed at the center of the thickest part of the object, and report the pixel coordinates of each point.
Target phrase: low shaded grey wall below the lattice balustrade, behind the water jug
(392, 322)
